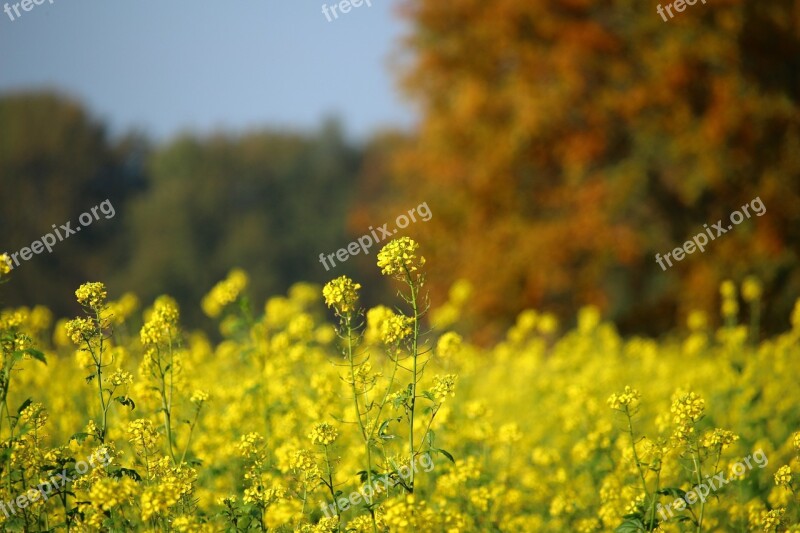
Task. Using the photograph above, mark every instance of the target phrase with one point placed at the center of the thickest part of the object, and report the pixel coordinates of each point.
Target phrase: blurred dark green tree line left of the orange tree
(186, 212)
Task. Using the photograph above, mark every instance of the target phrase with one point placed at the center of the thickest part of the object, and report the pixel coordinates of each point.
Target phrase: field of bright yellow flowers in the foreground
(316, 416)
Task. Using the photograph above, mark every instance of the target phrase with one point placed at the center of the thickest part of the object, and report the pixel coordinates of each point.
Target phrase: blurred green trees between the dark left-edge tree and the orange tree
(268, 202)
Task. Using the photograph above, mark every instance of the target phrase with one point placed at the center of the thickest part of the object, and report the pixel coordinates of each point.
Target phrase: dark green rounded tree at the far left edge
(56, 162)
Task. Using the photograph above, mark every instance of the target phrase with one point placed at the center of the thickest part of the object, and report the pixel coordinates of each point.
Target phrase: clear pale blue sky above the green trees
(162, 67)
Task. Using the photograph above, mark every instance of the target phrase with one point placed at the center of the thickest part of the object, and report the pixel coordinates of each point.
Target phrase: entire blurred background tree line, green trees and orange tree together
(562, 144)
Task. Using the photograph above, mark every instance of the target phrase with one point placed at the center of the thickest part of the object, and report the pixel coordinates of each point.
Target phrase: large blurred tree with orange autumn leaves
(564, 143)
